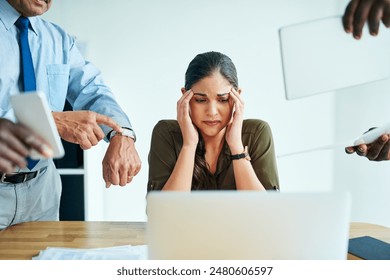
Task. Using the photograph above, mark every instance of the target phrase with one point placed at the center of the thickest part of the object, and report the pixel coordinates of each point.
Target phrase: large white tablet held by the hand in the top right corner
(318, 56)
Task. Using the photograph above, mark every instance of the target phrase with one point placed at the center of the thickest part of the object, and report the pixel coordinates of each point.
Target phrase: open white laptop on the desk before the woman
(244, 225)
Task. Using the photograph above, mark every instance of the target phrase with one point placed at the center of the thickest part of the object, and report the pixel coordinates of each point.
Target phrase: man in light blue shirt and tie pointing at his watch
(62, 74)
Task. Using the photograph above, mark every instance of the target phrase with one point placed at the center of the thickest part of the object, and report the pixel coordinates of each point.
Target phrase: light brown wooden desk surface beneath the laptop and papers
(22, 242)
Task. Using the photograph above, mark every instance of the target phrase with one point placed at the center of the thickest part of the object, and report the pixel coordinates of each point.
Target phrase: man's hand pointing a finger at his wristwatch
(82, 127)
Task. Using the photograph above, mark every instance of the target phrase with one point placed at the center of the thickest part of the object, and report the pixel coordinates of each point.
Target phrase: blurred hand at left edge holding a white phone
(16, 141)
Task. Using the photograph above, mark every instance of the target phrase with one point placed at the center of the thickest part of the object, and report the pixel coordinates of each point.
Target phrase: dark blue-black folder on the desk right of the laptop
(369, 248)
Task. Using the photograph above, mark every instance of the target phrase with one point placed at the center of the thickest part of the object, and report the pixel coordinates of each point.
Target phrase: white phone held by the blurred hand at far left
(32, 110)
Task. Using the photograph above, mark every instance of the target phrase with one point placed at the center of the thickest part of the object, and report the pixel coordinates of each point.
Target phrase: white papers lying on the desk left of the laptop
(126, 252)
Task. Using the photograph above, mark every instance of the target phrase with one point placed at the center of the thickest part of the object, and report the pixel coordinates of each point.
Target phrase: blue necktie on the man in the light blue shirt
(27, 73)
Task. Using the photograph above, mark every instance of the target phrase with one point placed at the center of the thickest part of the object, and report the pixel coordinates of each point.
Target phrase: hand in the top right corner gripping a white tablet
(359, 11)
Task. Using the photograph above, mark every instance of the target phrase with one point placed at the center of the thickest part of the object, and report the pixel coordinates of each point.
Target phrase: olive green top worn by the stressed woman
(167, 142)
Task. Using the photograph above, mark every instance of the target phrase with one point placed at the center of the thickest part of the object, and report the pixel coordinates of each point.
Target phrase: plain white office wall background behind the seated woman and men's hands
(143, 49)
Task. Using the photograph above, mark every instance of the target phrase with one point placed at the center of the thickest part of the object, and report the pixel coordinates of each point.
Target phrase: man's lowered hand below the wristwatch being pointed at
(121, 162)
